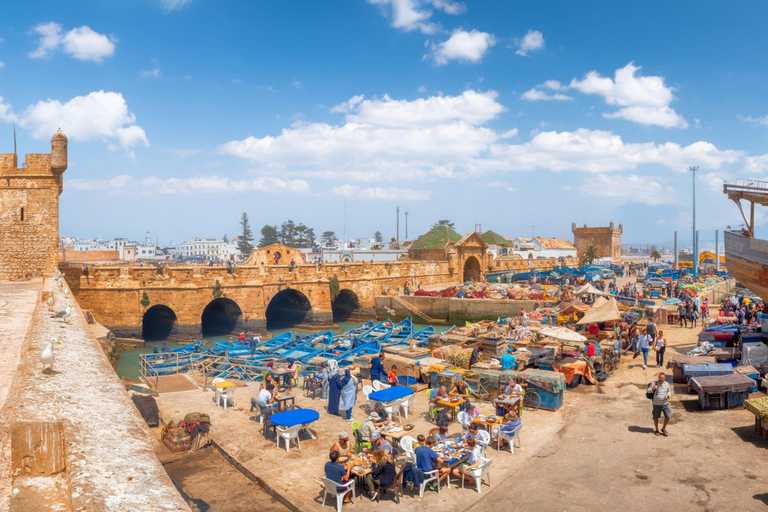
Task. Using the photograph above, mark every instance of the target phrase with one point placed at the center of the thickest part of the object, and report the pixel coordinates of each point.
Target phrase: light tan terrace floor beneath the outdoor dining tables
(295, 475)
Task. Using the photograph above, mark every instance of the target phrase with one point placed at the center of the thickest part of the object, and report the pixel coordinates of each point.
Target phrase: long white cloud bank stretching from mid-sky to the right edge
(447, 137)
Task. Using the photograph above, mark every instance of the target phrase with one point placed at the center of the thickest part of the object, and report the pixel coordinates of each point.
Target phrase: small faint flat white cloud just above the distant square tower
(629, 189)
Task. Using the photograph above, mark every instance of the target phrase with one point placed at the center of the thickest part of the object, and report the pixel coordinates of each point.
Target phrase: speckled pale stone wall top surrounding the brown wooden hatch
(110, 460)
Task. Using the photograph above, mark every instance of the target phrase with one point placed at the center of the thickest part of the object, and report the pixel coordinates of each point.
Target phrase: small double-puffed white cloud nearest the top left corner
(82, 43)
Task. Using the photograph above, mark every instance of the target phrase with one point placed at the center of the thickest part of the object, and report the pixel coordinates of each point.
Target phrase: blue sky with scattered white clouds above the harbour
(183, 114)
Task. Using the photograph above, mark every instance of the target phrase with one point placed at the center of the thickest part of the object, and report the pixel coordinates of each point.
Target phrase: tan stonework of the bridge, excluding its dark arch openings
(113, 294)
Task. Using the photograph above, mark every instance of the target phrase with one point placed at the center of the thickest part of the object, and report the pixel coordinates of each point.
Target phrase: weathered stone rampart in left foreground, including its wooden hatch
(72, 438)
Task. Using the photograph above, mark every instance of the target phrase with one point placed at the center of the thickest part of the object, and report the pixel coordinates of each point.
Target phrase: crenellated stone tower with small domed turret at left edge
(29, 211)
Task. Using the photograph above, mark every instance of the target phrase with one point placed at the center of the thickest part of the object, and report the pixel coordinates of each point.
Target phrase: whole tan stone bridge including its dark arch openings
(187, 300)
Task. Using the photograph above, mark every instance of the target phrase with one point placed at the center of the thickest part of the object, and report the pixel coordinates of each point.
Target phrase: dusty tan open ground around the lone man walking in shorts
(607, 457)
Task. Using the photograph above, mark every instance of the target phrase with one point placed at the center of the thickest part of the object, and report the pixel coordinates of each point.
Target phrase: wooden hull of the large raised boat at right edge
(747, 260)
